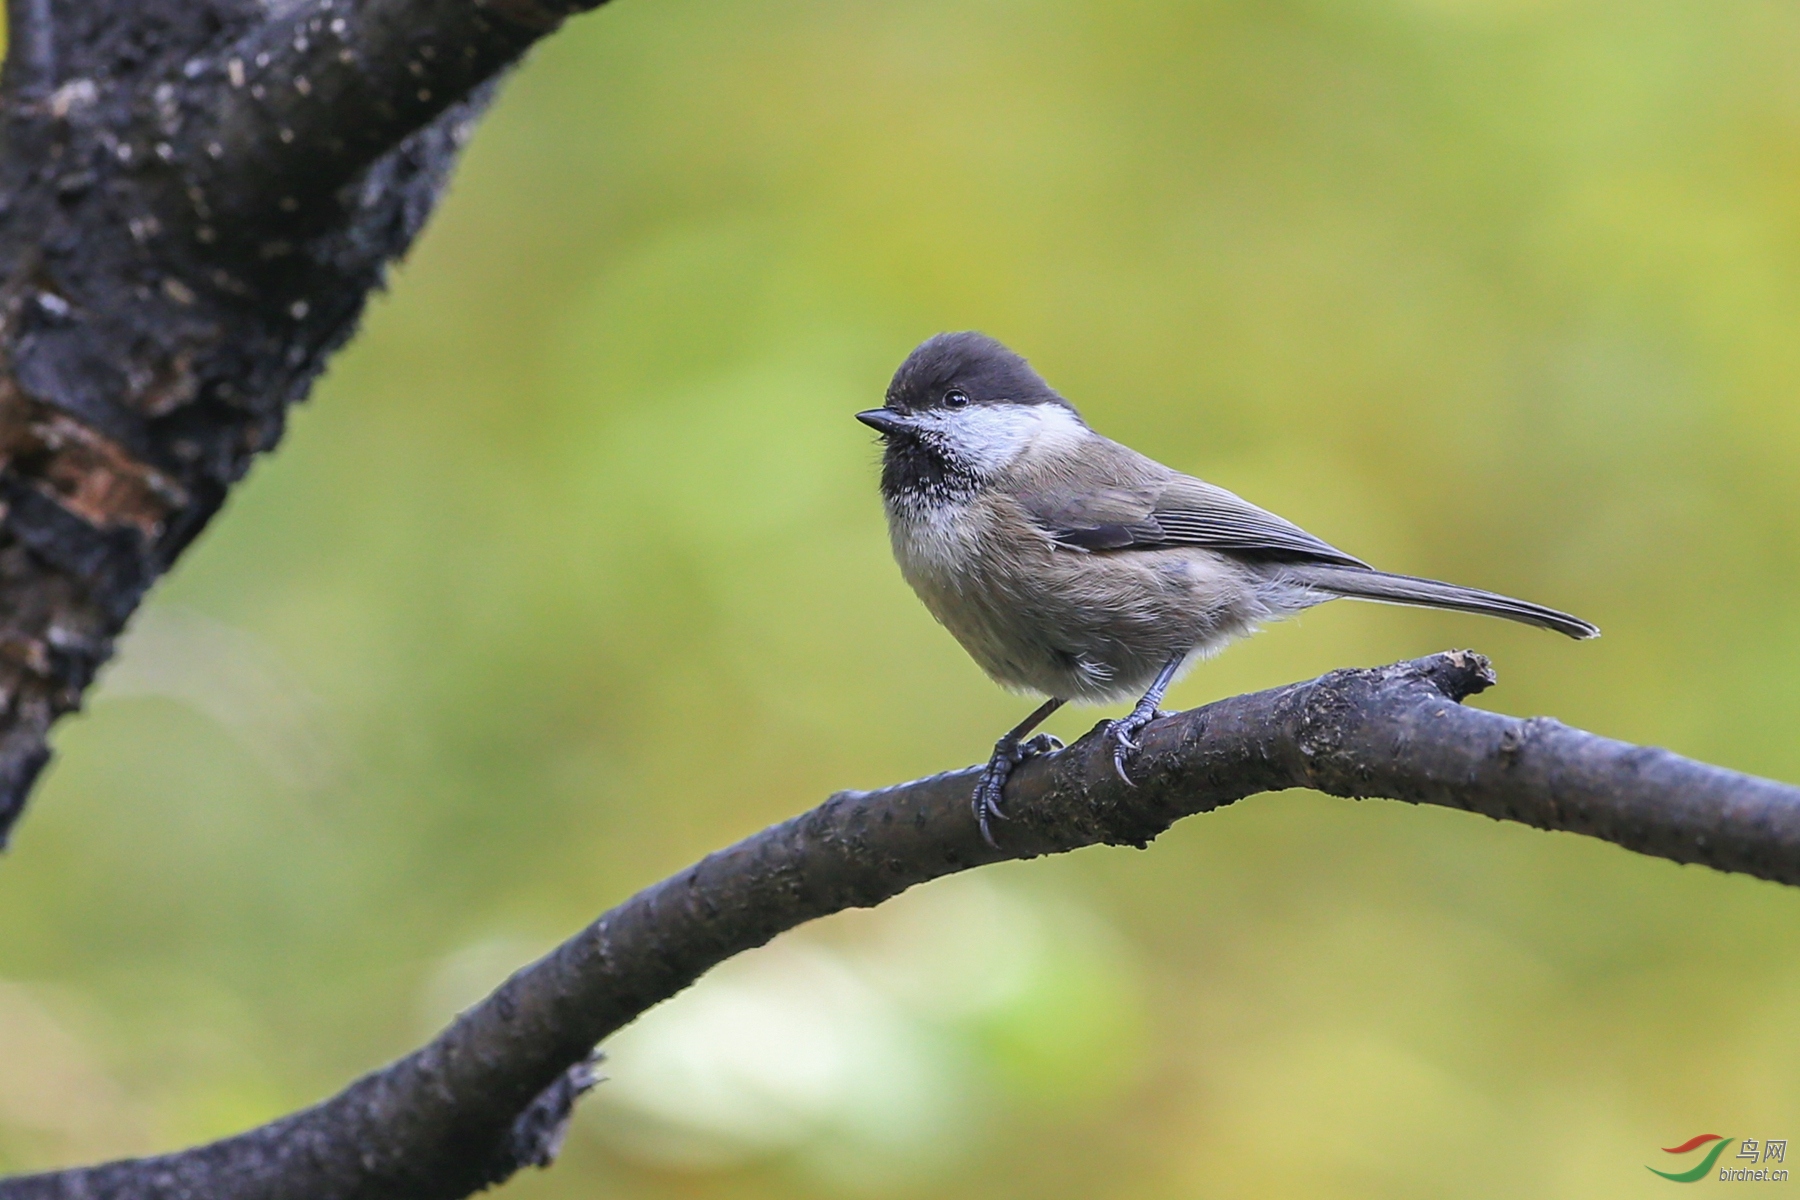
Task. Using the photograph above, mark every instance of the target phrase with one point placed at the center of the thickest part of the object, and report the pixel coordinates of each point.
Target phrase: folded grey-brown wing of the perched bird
(1178, 510)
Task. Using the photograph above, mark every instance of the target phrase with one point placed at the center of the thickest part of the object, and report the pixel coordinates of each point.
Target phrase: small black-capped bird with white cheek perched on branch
(1077, 569)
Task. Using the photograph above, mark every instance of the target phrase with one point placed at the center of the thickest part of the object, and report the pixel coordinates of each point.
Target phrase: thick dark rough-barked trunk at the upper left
(197, 197)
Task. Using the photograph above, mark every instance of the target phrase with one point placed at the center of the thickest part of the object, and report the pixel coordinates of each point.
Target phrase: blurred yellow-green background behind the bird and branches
(1495, 291)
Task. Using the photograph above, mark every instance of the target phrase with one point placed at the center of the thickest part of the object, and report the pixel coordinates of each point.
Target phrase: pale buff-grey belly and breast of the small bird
(1065, 623)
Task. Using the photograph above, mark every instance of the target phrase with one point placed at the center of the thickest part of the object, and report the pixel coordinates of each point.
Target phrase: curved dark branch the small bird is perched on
(471, 1107)
